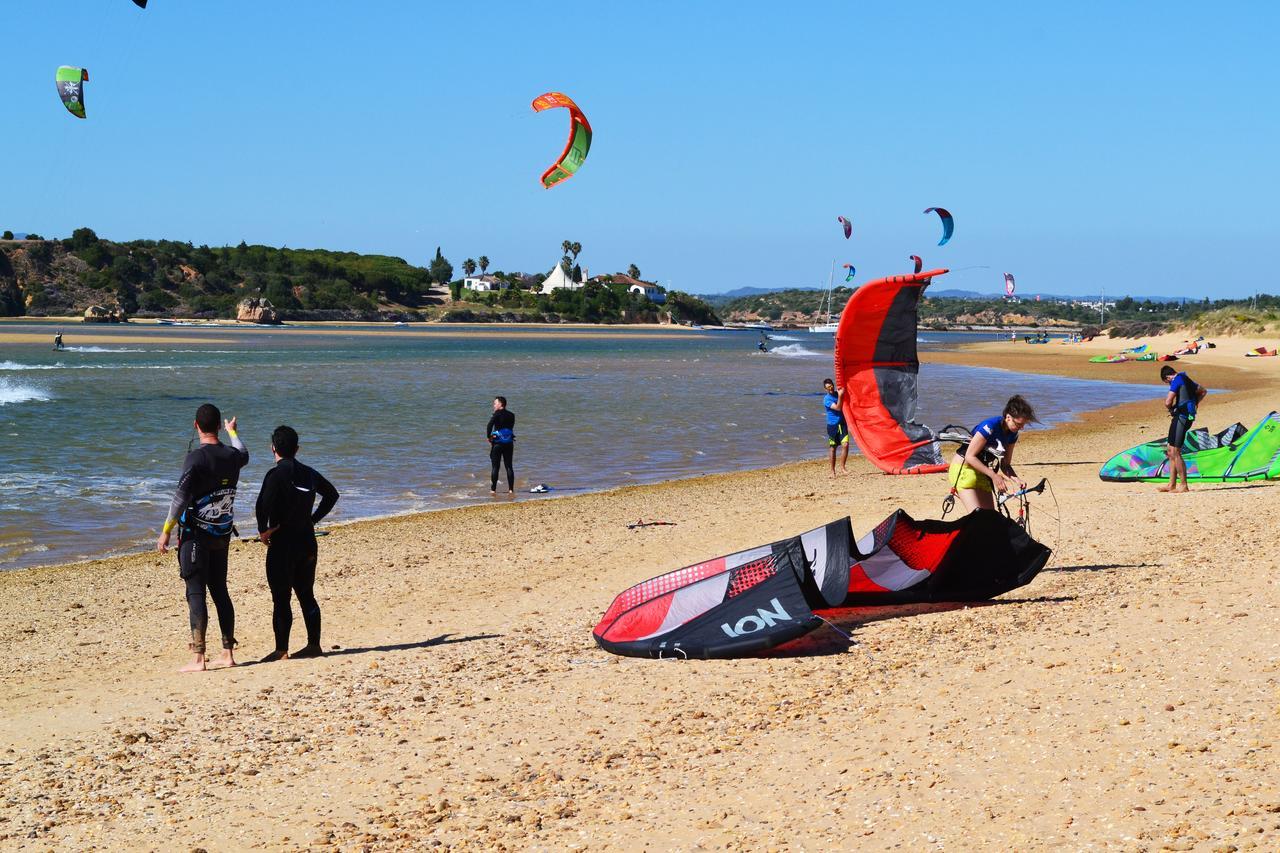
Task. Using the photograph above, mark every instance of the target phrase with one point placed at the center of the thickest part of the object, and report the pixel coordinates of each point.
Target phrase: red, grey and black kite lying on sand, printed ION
(764, 597)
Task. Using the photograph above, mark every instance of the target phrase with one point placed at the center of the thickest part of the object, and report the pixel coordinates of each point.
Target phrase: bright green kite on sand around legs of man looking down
(1235, 454)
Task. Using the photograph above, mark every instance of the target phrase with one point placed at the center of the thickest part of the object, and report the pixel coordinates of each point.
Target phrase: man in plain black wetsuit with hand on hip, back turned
(286, 523)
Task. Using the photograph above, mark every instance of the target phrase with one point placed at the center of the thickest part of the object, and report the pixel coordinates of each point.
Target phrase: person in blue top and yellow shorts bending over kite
(986, 464)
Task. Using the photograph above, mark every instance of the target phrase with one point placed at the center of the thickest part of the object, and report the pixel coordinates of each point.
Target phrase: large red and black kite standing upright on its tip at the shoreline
(879, 368)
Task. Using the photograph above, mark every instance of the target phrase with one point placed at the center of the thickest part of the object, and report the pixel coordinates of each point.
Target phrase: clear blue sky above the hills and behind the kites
(1128, 145)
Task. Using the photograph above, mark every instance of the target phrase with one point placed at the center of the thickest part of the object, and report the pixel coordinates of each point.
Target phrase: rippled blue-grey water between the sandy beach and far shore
(93, 437)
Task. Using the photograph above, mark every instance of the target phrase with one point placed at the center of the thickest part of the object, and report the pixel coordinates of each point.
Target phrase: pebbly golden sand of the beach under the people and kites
(1128, 699)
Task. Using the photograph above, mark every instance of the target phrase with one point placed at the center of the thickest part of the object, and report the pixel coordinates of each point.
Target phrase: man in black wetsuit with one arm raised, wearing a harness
(203, 510)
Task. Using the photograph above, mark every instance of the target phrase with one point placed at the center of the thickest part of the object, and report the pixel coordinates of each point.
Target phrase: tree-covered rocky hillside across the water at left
(149, 279)
